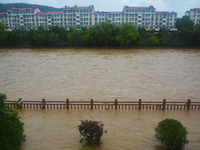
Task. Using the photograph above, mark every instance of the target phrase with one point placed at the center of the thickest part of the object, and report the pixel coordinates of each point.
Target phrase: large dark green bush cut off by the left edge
(11, 128)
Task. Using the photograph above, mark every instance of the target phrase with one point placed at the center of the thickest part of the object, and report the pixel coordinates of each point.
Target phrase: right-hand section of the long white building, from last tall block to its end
(147, 17)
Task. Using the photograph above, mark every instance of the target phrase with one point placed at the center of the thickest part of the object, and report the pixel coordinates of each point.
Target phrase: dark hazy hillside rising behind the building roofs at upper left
(5, 7)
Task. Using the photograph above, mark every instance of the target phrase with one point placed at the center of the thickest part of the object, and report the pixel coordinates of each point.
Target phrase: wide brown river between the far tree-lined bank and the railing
(57, 74)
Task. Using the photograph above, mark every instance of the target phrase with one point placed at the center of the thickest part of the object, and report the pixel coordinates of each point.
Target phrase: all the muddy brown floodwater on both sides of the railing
(58, 74)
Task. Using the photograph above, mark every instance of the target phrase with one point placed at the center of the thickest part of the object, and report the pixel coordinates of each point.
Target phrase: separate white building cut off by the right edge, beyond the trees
(194, 15)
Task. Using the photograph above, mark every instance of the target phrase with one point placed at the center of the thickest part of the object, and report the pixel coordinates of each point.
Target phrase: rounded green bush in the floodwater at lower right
(172, 134)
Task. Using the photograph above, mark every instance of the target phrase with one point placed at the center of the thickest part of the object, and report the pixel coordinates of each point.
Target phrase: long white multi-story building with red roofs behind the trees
(147, 17)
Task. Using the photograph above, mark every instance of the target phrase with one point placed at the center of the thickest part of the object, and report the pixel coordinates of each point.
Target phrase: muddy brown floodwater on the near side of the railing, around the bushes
(127, 130)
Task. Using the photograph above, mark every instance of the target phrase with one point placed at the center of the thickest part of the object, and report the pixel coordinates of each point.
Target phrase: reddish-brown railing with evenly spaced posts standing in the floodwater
(139, 105)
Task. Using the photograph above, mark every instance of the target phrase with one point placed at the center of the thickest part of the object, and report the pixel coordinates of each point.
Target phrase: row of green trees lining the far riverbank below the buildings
(104, 34)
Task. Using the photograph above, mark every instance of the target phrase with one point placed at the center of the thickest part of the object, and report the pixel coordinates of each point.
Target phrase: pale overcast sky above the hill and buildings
(179, 6)
